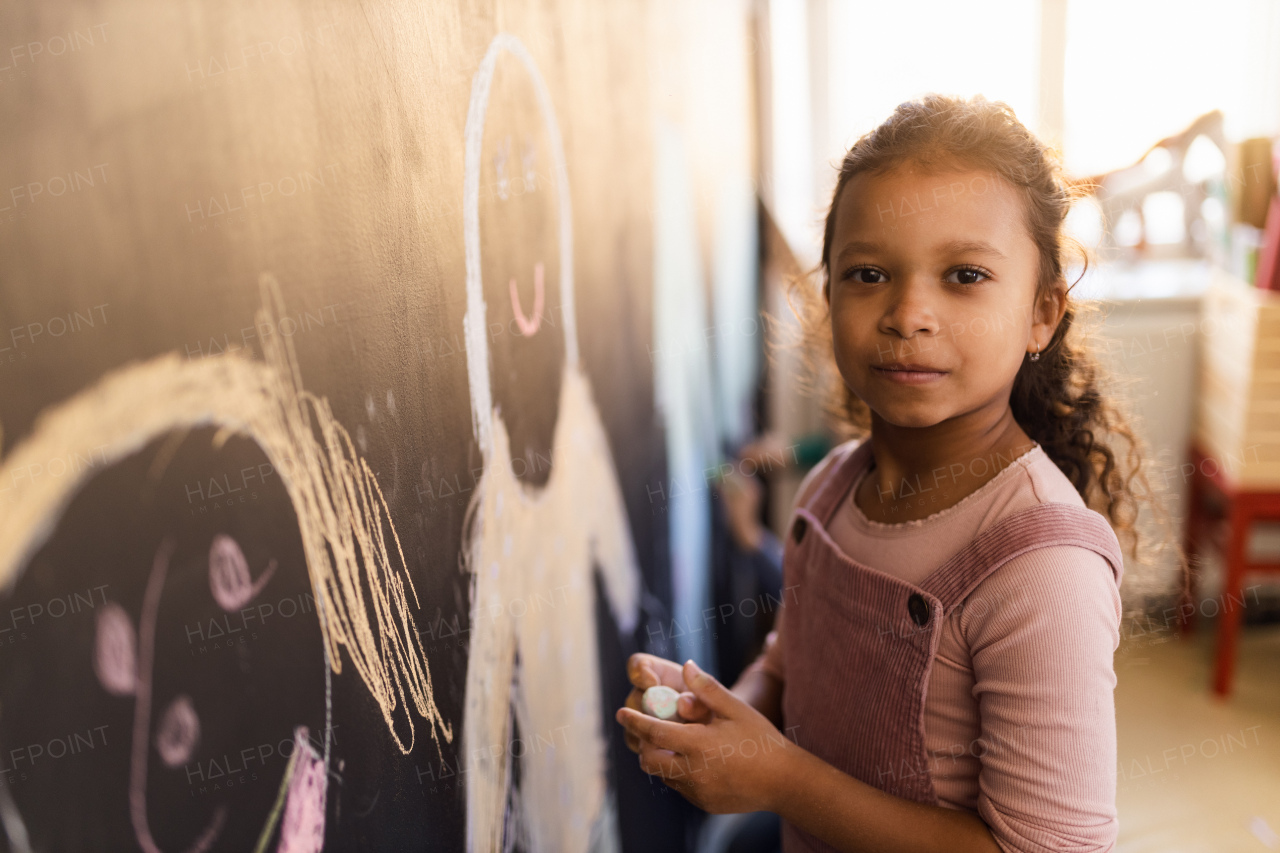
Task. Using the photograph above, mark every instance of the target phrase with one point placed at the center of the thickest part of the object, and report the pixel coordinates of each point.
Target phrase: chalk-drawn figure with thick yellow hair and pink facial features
(355, 568)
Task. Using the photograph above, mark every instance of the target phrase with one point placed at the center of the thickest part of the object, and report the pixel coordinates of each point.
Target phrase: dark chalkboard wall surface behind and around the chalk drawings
(156, 159)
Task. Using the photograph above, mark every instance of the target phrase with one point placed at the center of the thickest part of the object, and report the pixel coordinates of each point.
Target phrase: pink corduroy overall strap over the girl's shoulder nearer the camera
(1039, 527)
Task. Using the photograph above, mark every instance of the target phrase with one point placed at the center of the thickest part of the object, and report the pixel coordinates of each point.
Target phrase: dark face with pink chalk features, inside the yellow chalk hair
(209, 673)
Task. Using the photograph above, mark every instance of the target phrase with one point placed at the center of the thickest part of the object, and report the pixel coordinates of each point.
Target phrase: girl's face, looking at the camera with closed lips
(931, 294)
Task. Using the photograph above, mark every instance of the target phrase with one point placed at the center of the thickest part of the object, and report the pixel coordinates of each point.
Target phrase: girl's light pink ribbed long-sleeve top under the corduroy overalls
(1034, 676)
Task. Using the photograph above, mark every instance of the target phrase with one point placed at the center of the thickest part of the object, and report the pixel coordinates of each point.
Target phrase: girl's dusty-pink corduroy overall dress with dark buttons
(858, 645)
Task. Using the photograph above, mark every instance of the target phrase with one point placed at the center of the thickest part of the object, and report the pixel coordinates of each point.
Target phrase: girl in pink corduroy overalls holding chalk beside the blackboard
(941, 677)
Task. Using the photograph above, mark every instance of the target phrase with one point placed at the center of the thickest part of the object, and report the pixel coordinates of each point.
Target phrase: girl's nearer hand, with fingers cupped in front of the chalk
(729, 764)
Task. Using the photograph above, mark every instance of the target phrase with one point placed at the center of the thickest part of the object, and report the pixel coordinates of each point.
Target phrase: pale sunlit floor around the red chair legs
(1197, 774)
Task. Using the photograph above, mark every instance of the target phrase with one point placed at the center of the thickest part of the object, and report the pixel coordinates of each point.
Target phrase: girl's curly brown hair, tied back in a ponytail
(1059, 400)
